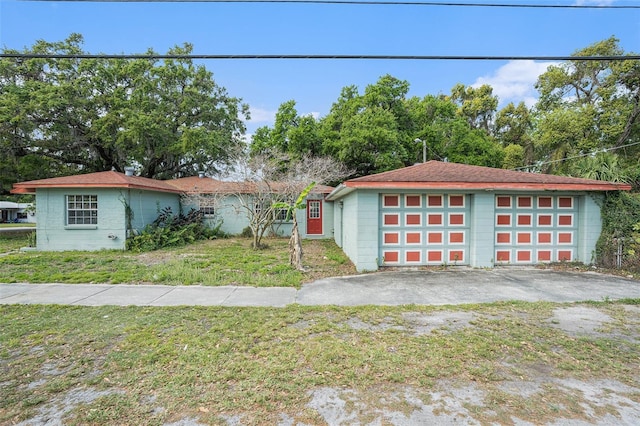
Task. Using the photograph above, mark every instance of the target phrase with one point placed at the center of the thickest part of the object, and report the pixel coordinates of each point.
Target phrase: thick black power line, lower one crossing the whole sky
(321, 57)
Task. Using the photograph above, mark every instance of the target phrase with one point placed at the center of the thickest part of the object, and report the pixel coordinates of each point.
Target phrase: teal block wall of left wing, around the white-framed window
(54, 234)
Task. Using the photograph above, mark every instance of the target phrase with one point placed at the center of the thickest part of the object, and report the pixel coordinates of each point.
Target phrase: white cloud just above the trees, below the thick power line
(515, 81)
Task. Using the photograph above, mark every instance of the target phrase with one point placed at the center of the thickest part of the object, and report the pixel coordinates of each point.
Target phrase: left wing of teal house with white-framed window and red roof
(95, 211)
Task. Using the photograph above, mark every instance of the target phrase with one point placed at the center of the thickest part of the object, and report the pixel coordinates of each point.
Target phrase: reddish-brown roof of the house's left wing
(109, 179)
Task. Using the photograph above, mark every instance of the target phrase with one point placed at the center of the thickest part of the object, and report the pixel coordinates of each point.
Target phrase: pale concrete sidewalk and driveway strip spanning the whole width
(457, 286)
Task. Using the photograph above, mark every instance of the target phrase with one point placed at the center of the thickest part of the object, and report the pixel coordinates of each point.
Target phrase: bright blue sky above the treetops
(249, 28)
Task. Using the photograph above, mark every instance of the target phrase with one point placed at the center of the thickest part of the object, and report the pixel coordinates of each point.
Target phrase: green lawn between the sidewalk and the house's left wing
(213, 263)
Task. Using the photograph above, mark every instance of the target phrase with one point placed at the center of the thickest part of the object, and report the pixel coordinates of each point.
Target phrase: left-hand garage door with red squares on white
(424, 229)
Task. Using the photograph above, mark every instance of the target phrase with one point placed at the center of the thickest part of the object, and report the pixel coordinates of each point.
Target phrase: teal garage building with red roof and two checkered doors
(438, 213)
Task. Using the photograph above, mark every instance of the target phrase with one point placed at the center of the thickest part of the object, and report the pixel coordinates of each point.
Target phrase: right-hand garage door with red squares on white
(535, 229)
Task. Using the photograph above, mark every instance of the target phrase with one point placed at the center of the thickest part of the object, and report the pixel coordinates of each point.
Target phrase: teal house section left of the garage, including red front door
(97, 210)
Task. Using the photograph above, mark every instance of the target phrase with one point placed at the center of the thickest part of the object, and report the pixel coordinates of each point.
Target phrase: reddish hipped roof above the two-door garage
(440, 175)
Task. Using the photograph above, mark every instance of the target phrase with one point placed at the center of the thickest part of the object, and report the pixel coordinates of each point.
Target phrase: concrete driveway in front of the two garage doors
(460, 286)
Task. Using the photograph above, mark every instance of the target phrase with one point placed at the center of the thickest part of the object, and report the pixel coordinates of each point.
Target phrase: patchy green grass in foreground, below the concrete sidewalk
(260, 363)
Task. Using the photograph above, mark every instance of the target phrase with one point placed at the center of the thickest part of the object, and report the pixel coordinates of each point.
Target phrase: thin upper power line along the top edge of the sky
(372, 2)
